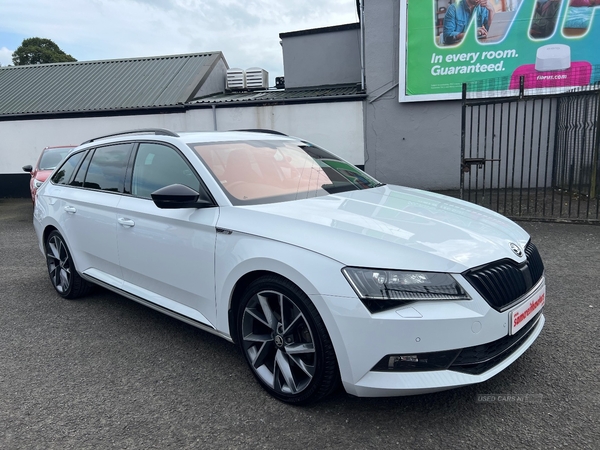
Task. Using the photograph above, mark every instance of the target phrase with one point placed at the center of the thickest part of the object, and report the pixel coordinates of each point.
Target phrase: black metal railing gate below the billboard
(533, 157)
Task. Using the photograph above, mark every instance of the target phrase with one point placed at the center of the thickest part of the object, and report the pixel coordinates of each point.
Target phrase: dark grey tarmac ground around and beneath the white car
(106, 372)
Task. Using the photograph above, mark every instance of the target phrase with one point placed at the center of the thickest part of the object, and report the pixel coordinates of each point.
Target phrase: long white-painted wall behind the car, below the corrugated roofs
(337, 127)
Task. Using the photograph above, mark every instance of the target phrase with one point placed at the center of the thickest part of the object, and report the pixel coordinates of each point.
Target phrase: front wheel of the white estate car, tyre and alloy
(285, 342)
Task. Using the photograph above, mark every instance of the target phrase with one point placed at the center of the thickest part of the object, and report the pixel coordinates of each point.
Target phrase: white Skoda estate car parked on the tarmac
(318, 272)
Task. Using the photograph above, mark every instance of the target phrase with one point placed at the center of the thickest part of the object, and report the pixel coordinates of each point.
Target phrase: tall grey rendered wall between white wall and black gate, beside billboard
(412, 144)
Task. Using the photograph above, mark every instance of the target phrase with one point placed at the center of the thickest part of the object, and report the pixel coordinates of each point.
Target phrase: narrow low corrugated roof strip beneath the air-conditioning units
(281, 95)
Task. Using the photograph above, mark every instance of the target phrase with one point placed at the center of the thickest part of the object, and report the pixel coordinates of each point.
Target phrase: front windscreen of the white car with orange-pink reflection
(269, 171)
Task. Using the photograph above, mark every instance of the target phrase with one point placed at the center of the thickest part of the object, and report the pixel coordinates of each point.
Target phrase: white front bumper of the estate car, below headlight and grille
(482, 334)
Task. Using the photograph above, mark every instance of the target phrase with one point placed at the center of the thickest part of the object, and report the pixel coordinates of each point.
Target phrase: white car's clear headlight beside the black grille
(384, 289)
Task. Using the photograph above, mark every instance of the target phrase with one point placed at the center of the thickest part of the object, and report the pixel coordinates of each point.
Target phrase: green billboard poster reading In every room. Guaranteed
(552, 44)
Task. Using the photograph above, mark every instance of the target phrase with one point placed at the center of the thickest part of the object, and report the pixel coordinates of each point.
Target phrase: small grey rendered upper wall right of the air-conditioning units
(321, 57)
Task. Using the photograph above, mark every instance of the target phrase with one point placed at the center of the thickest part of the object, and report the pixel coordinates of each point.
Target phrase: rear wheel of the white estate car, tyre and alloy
(65, 279)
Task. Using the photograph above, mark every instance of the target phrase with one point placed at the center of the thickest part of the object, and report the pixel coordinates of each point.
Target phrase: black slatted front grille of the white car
(501, 283)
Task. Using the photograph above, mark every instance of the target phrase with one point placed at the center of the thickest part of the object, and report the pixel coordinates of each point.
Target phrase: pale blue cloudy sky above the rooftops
(246, 31)
